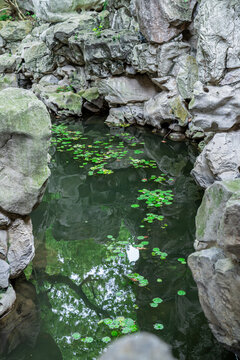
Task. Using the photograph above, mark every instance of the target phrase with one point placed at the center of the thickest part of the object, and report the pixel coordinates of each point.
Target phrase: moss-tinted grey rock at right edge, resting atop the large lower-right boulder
(217, 218)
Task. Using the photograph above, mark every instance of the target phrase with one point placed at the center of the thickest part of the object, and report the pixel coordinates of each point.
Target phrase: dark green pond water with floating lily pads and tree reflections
(100, 269)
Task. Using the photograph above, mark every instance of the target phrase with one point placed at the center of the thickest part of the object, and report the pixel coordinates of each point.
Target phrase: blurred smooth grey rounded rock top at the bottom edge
(140, 346)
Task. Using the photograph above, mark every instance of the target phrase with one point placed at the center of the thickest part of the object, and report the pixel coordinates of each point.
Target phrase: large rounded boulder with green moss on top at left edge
(24, 141)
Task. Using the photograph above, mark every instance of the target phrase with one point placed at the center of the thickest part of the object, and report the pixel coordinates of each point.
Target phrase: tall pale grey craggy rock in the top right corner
(217, 24)
